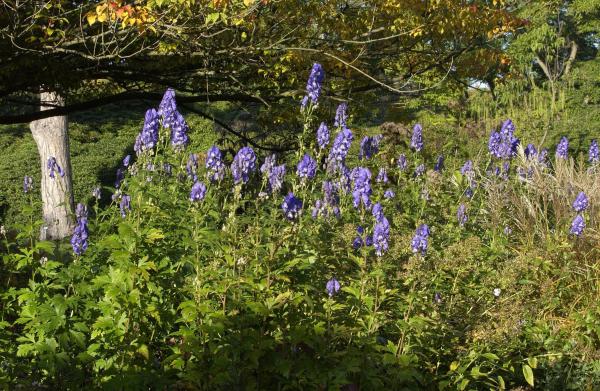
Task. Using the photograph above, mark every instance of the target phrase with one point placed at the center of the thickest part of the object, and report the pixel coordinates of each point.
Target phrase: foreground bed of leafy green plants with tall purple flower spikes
(213, 276)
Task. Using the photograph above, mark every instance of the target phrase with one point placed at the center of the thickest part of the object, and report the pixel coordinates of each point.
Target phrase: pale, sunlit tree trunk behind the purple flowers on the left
(52, 138)
